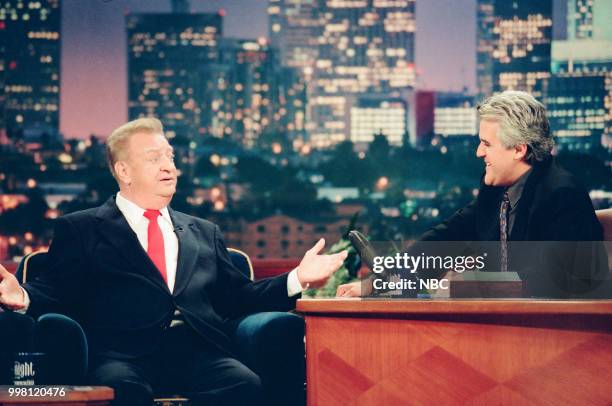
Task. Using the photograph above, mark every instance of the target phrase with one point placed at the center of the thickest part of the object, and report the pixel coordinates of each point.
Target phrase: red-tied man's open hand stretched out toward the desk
(315, 269)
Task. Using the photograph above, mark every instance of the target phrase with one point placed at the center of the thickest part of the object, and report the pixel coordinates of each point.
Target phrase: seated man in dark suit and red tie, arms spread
(153, 287)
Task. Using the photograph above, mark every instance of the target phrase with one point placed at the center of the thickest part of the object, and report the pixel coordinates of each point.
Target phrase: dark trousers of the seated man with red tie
(185, 365)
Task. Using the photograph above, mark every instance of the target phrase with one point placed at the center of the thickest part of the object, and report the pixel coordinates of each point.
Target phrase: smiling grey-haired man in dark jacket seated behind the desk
(524, 196)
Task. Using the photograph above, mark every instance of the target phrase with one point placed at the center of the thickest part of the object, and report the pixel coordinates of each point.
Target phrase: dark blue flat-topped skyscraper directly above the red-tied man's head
(172, 71)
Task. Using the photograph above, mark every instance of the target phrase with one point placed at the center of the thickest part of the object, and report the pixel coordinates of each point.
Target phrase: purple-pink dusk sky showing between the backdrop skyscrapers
(94, 56)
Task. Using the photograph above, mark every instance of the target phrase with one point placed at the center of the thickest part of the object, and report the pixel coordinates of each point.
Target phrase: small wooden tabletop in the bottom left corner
(74, 396)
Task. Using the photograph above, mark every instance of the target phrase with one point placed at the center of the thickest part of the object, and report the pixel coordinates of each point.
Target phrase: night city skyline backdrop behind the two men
(354, 106)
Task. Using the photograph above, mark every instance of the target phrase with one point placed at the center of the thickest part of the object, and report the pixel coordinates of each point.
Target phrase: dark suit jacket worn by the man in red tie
(100, 275)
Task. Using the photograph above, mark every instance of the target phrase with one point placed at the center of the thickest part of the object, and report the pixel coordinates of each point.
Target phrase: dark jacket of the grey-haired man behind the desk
(553, 211)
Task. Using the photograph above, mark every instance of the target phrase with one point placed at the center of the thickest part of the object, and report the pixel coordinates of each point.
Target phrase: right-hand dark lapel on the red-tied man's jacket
(188, 249)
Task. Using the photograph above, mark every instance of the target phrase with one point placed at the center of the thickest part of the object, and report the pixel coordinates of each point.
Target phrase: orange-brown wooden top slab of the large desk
(452, 306)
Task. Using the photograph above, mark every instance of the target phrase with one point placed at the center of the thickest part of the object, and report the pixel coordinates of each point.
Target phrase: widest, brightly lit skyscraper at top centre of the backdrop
(345, 48)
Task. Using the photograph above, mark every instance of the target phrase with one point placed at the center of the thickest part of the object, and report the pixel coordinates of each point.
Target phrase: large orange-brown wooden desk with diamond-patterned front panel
(450, 352)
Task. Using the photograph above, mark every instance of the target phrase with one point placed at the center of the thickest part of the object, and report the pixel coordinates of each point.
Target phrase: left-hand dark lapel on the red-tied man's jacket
(115, 229)
